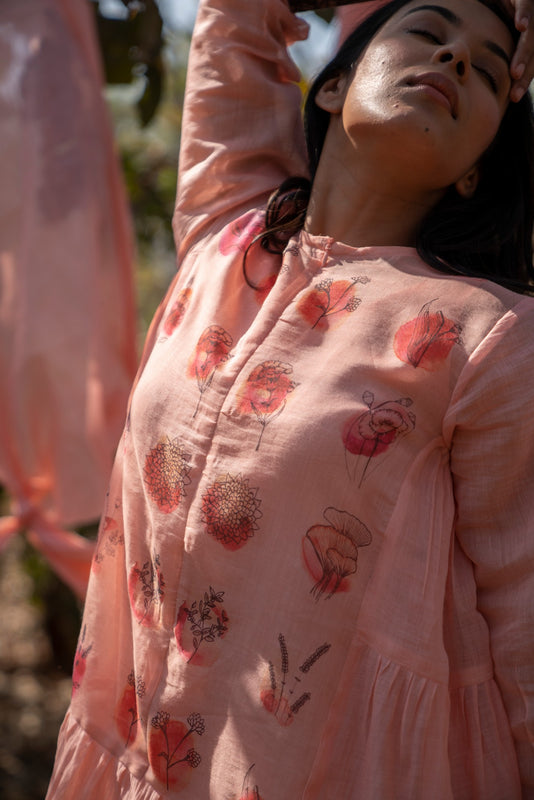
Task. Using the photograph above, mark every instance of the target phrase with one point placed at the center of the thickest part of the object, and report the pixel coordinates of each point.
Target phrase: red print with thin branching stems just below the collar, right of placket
(328, 298)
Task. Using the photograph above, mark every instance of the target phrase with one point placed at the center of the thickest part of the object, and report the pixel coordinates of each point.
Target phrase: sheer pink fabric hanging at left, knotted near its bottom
(67, 315)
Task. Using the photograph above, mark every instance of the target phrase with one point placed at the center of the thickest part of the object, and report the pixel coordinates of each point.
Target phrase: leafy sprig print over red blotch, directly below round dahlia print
(201, 622)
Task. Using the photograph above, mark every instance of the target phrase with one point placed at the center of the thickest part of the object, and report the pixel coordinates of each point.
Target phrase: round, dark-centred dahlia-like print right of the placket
(230, 510)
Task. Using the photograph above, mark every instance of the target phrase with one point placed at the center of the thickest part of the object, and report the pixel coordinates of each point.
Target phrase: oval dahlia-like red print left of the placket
(167, 474)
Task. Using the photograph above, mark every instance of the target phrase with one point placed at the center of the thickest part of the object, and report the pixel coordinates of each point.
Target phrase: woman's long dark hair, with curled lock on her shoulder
(488, 235)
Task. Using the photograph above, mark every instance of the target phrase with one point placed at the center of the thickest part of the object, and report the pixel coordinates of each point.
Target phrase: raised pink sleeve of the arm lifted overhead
(242, 131)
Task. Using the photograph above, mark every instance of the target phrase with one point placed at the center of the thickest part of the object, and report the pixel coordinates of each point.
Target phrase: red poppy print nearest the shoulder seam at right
(427, 340)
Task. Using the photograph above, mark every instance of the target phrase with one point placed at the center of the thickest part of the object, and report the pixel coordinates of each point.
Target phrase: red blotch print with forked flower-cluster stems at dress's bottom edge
(170, 746)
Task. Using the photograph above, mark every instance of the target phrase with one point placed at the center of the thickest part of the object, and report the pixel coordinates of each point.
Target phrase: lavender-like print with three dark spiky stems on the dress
(277, 699)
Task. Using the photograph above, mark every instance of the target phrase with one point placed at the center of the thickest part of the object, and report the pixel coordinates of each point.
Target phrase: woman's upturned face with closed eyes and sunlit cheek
(436, 78)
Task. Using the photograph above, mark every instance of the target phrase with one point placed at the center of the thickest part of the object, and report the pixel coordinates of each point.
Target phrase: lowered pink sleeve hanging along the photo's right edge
(492, 460)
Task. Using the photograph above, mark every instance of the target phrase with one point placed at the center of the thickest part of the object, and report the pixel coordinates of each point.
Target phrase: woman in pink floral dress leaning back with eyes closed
(313, 577)
